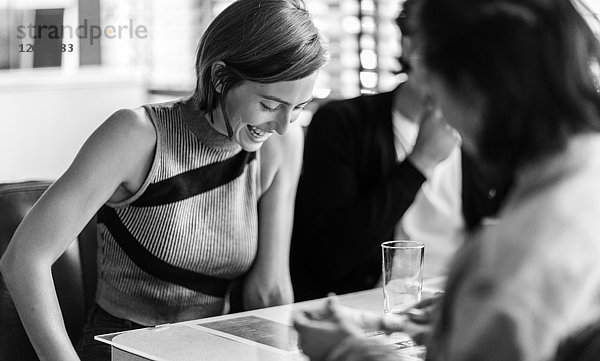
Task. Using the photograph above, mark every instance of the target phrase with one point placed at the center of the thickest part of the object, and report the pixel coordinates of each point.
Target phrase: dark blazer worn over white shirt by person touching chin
(352, 193)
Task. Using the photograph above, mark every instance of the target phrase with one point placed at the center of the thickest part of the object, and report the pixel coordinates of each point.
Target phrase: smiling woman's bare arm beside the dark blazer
(268, 282)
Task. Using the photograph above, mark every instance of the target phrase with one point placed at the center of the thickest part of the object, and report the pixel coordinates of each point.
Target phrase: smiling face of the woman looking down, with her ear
(257, 110)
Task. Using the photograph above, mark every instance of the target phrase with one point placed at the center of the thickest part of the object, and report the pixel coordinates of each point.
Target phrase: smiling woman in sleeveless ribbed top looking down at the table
(190, 195)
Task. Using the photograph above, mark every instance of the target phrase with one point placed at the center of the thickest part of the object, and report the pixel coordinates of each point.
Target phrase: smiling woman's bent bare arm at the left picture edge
(110, 161)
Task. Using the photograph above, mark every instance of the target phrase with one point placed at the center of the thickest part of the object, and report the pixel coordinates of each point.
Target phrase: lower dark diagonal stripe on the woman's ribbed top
(155, 266)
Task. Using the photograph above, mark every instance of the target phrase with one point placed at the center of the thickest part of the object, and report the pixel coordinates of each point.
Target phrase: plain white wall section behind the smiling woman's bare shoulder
(46, 115)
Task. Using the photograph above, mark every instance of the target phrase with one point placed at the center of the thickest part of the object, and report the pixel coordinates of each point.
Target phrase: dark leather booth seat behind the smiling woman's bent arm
(74, 273)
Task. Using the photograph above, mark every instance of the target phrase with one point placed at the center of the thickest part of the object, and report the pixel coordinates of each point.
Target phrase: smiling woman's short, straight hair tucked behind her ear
(264, 41)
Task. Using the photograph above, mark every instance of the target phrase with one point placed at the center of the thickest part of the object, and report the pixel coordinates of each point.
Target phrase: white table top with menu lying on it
(221, 340)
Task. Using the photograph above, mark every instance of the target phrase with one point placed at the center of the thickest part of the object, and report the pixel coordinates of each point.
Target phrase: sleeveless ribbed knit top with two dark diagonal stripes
(168, 253)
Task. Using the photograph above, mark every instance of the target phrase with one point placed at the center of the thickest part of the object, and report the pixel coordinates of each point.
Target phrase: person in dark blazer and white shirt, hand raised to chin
(377, 168)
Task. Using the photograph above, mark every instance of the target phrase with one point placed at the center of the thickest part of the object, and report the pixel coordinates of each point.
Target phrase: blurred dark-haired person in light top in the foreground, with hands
(518, 79)
